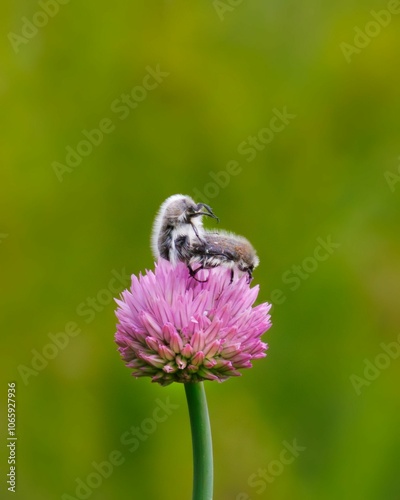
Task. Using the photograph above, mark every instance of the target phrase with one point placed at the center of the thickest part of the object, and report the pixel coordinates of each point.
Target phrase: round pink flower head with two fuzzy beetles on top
(173, 328)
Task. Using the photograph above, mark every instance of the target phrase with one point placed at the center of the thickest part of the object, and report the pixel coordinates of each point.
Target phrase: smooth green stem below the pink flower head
(201, 440)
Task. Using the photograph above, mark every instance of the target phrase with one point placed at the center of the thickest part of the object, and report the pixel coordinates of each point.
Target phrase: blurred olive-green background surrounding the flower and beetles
(219, 73)
